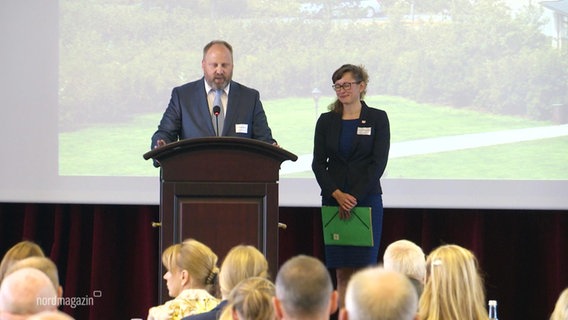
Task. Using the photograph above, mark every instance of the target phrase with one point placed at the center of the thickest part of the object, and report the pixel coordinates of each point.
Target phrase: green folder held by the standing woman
(355, 231)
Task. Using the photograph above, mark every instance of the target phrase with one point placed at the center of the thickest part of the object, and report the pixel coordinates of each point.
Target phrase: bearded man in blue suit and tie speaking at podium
(214, 105)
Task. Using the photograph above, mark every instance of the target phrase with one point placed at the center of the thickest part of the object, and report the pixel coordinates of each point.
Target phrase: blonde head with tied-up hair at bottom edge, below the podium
(251, 299)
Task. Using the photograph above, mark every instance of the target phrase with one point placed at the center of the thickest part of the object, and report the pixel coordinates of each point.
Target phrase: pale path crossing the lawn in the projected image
(450, 143)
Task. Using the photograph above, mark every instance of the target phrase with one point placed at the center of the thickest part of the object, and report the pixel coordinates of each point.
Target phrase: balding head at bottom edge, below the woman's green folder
(378, 294)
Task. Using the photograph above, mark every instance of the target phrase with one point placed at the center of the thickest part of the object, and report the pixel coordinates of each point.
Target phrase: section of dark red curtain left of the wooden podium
(106, 255)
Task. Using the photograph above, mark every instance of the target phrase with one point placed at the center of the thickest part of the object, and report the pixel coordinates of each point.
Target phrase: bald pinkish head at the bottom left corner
(27, 291)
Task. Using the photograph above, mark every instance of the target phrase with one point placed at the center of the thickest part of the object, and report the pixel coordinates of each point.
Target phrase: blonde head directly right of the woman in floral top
(241, 262)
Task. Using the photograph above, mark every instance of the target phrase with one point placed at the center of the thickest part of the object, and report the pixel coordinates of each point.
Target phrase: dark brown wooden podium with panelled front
(222, 191)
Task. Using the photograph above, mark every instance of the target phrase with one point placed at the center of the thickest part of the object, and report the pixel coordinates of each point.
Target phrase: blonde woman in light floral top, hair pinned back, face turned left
(191, 278)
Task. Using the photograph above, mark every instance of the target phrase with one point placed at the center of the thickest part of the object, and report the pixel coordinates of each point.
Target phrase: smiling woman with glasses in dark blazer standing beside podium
(351, 147)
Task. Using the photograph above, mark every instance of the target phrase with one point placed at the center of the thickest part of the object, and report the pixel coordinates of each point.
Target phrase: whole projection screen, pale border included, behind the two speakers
(475, 93)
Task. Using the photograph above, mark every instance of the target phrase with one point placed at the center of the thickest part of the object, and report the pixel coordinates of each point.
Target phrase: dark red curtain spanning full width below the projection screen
(108, 254)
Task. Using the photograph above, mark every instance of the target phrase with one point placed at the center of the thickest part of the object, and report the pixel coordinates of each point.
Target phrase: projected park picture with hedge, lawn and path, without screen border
(473, 91)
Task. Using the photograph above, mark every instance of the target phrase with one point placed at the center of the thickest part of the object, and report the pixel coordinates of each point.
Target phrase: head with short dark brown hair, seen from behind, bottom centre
(304, 290)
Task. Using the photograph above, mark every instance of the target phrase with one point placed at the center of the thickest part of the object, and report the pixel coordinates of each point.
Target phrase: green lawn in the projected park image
(117, 149)
